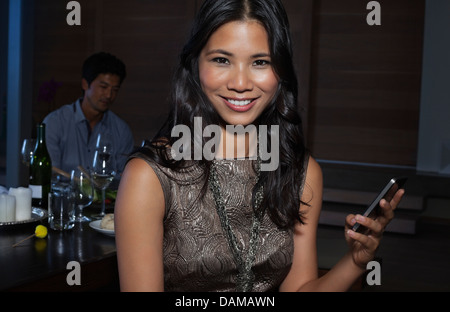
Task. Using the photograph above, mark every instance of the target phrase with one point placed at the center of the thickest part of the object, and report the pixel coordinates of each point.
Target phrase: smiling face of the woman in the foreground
(236, 72)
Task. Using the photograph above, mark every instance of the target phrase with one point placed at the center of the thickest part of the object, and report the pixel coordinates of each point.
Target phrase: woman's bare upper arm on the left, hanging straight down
(139, 214)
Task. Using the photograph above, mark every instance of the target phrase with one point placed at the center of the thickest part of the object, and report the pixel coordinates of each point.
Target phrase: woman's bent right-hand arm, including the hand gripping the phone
(362, 248)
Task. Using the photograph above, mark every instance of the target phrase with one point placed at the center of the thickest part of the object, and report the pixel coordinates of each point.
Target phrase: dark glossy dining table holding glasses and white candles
(79, 259)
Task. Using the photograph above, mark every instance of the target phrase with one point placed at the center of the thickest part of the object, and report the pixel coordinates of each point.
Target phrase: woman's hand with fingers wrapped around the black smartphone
(364, 246)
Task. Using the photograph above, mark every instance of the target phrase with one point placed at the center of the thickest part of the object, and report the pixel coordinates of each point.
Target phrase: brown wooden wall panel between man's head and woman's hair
(149, 37)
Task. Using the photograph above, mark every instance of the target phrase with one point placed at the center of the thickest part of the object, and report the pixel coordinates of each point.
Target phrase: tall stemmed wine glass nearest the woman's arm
(103, 171)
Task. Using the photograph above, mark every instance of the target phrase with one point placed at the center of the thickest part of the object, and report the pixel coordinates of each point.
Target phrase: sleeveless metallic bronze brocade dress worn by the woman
(197, 256)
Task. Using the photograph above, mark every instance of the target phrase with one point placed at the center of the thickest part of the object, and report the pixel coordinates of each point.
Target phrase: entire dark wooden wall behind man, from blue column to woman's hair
(146, 35)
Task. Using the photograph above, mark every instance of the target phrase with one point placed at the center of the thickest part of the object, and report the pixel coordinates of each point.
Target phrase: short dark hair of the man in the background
(103, 63)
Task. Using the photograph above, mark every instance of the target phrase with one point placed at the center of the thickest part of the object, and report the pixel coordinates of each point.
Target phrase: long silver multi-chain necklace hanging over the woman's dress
(245, 277)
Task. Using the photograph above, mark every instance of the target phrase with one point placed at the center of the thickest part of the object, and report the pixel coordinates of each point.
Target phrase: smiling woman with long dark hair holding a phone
(196, 224)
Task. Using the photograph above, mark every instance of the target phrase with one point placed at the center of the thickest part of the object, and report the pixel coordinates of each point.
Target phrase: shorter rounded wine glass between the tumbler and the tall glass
(83, 189)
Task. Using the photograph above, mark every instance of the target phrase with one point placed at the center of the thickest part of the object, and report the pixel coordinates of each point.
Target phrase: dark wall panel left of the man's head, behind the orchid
(59, 51)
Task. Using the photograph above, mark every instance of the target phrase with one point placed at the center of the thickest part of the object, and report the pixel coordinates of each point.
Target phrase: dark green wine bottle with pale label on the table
(40, 171)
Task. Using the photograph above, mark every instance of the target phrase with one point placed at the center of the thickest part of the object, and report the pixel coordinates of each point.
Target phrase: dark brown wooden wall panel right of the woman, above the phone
(365, 82)
